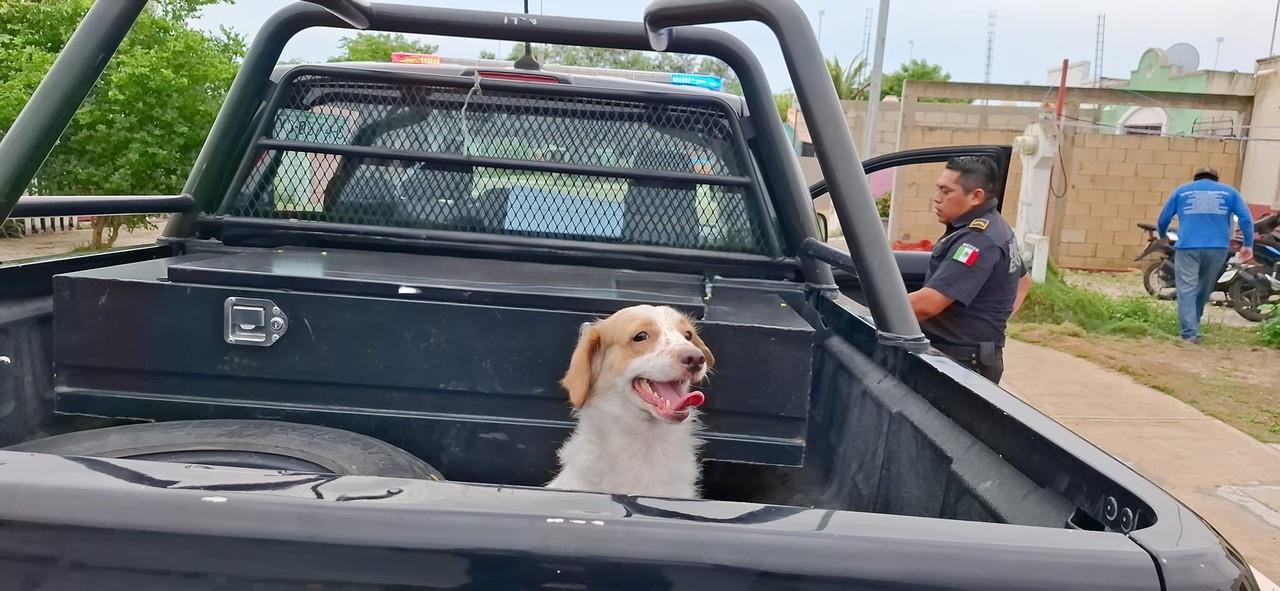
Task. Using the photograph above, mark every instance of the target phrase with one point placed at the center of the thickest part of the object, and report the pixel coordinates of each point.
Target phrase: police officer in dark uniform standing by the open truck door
(977, 280)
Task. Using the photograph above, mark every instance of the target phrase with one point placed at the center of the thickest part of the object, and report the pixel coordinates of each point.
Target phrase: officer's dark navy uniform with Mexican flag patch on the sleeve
(977, 264)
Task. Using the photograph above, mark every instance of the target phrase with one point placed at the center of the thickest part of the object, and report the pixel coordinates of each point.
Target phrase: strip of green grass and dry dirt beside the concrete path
(1228, 378)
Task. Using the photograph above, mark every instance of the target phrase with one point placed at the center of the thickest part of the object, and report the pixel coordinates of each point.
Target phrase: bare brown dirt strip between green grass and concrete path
(1235, 384)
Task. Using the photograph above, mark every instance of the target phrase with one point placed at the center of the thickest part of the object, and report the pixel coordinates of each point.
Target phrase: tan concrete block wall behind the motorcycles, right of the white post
(1116, 182)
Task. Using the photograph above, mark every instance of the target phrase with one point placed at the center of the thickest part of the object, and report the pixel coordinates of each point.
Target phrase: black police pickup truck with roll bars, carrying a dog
(339, 368)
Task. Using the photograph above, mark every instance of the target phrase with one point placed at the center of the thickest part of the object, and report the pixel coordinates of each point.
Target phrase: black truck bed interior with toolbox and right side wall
(459, 359)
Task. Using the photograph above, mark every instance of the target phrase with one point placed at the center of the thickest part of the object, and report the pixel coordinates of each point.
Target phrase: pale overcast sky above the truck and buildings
(1032, 36)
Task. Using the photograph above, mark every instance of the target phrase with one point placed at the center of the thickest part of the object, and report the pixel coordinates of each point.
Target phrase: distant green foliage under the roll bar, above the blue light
(630, 61)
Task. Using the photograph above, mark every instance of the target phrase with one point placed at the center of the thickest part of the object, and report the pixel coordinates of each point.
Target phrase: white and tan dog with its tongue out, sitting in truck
(629, 382)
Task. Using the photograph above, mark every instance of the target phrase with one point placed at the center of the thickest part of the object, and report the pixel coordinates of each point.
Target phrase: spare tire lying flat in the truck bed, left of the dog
(245, 445)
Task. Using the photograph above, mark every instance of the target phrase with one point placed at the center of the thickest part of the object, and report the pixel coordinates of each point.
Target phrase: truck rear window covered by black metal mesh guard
(568, 163)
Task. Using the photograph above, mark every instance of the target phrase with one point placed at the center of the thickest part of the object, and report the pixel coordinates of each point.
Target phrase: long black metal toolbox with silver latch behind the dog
(463, 358)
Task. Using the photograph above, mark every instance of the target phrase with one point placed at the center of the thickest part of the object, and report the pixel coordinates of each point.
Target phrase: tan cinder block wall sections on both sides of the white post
(1113, 182)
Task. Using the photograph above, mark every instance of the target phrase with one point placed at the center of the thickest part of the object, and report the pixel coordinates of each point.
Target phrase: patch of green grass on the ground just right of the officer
(1057, 303)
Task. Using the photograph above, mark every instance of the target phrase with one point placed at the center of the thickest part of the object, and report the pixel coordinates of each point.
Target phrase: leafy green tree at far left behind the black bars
(143, 126)
